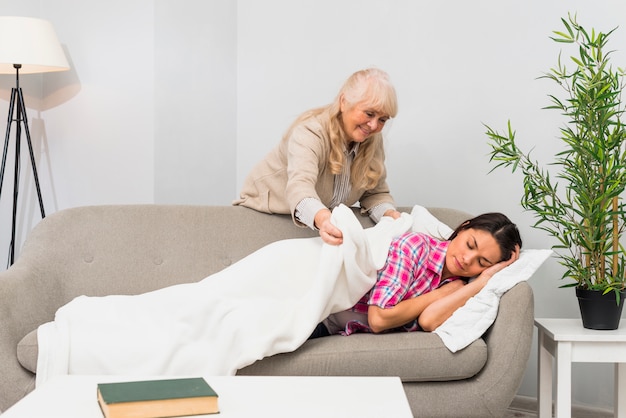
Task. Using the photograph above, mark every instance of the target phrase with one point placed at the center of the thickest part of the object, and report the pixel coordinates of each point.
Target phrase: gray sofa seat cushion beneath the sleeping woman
(414, 357)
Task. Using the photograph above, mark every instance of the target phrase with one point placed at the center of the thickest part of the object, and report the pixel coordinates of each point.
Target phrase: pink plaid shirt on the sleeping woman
(414, 265)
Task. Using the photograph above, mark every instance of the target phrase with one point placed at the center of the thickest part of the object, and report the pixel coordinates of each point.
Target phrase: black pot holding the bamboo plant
(600, 311)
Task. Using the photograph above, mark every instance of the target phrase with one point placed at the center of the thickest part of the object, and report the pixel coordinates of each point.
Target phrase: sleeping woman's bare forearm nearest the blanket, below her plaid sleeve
(380, 319)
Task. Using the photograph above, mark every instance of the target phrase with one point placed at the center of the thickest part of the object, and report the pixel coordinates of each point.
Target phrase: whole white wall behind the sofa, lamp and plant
(174, 101)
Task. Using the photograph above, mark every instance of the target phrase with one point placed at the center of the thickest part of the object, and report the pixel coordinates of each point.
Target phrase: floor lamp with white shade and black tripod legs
(27, 45)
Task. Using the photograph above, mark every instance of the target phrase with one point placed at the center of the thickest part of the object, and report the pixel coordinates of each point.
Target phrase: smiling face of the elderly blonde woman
(360, 121)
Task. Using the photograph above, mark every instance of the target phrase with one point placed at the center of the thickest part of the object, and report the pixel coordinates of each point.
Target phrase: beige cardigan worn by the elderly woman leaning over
(298, 168)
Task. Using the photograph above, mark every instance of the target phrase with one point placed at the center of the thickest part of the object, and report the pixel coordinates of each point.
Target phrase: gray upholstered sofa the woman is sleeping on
(129, 249)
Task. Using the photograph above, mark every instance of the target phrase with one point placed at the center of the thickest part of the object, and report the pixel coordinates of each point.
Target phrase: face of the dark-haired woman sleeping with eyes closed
(471, 252)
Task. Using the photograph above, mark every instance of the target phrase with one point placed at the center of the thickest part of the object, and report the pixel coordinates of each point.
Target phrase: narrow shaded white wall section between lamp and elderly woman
(195, 101)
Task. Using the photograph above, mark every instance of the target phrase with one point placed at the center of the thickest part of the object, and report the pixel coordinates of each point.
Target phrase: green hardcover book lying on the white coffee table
(157, 398)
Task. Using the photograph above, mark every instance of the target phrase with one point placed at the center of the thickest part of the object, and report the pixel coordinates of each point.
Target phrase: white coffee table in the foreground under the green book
(239, 396)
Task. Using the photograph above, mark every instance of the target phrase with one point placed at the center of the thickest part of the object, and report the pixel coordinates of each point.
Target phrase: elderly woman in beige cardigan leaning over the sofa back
(330, 155)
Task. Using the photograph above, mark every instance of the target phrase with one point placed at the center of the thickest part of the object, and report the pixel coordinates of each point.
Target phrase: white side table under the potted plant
(566, 342)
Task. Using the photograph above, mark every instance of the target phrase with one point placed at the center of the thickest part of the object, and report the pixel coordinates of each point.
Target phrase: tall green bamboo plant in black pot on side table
(579, 198)
